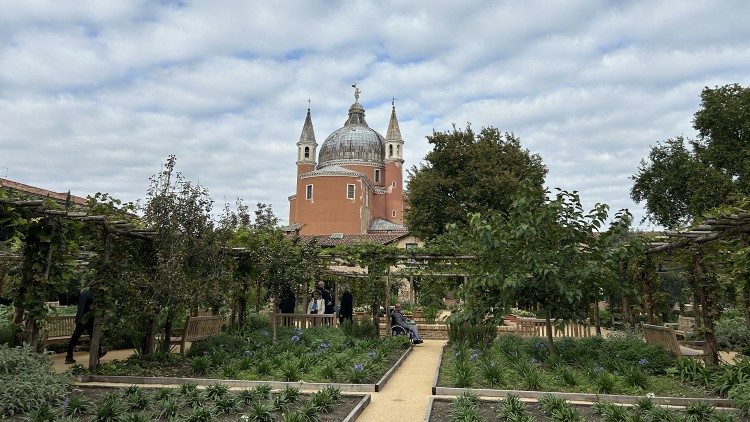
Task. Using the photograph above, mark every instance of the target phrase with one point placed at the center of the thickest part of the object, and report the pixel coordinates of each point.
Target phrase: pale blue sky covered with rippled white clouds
(95, 95)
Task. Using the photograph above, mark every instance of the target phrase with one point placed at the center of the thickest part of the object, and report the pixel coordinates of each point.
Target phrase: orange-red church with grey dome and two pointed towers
(354, 186)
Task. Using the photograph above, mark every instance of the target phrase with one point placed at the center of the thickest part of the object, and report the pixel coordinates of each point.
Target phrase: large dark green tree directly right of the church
(467, 173)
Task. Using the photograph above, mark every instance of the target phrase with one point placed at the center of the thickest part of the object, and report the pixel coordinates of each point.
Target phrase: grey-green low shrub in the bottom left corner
(27, 381)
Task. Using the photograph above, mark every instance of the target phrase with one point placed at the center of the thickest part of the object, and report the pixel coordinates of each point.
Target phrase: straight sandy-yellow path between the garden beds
(405, 395)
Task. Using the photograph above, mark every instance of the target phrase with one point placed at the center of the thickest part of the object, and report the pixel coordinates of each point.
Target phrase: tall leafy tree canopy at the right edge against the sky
(682, 180)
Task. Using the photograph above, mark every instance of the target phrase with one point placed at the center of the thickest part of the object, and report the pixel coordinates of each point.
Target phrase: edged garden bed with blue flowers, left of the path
(313, 359)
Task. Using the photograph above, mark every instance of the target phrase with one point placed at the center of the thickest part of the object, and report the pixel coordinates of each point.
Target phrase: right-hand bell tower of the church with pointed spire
(394, 173)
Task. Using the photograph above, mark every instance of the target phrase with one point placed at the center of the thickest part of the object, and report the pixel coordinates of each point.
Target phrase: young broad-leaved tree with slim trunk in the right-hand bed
(536, 252)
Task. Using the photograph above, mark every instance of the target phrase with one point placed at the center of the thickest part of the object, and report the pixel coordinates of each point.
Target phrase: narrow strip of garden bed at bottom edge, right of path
(471, 408)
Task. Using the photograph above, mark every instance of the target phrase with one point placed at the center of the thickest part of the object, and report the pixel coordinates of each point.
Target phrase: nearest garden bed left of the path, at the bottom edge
(191, 403)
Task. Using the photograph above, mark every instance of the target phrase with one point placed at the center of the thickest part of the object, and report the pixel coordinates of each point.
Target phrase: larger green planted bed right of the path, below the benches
(620, 369)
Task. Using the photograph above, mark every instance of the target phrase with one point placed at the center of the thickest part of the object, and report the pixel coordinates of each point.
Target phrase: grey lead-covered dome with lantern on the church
(353, 143)
